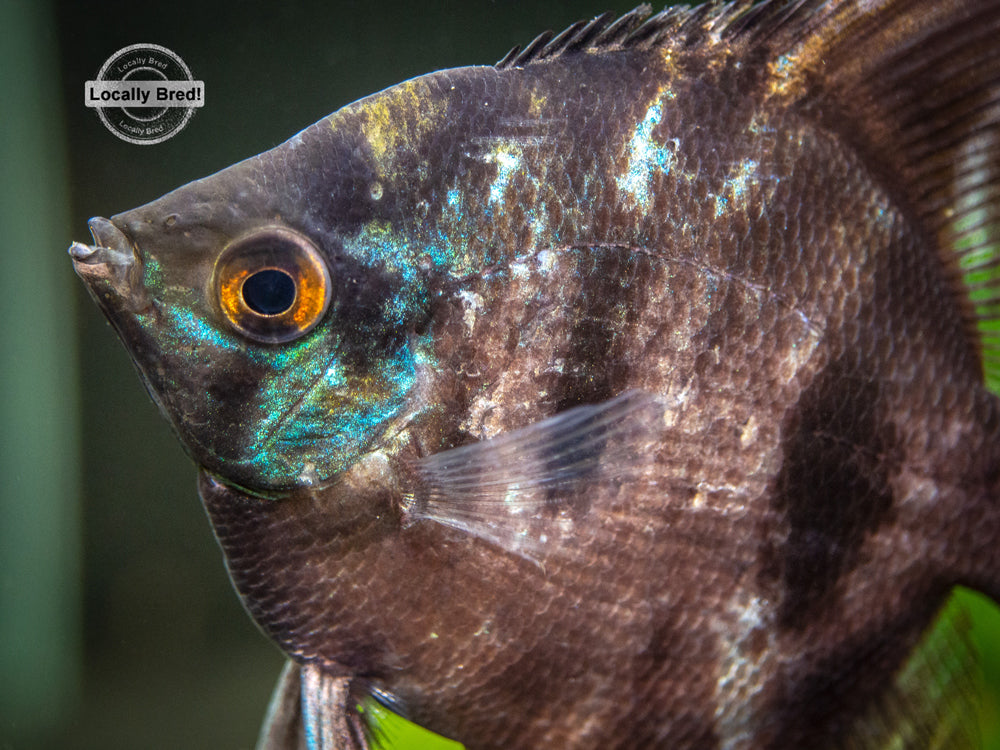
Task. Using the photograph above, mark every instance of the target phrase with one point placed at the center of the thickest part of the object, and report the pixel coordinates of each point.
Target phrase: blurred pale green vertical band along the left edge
(39, 496)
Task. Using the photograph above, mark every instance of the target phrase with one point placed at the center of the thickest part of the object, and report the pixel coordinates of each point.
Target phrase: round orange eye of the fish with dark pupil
(272, 285)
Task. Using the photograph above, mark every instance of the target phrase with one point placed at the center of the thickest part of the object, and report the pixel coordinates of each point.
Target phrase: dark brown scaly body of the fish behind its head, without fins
(814, 443)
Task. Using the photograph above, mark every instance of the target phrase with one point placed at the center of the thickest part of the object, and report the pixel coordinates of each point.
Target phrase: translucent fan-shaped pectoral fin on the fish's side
(525, 490)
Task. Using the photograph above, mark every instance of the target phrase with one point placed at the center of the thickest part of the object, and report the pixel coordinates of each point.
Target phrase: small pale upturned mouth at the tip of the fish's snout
(111, 263)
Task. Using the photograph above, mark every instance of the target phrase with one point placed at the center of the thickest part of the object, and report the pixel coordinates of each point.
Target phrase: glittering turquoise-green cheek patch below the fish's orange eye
(311, 417)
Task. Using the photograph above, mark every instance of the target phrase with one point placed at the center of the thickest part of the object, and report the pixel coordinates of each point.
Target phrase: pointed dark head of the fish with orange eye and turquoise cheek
(278, 352)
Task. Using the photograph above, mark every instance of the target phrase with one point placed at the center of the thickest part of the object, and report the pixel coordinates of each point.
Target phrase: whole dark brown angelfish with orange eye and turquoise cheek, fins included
(626, 393)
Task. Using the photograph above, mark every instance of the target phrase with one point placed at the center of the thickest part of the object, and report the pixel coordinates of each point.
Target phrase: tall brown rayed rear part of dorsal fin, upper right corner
(915, 86)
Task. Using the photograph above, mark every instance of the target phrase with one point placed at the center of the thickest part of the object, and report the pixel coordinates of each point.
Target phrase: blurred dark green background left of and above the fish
(118, 626)
